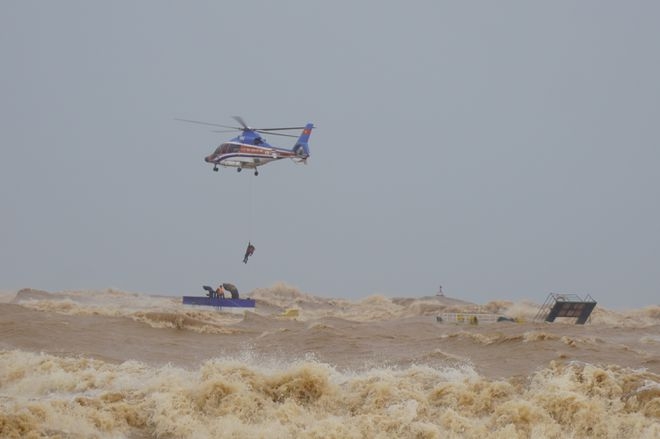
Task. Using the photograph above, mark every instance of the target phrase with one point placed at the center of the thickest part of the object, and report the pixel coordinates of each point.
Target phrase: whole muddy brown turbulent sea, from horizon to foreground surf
(114, 364)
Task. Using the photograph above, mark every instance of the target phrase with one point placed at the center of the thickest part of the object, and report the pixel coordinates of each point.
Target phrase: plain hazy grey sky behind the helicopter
(503, 150)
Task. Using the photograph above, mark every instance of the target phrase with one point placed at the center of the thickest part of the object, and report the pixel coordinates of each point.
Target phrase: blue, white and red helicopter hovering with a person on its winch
(250, 150)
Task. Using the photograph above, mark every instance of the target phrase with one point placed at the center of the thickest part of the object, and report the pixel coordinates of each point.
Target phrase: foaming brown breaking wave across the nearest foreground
(239, 398)
